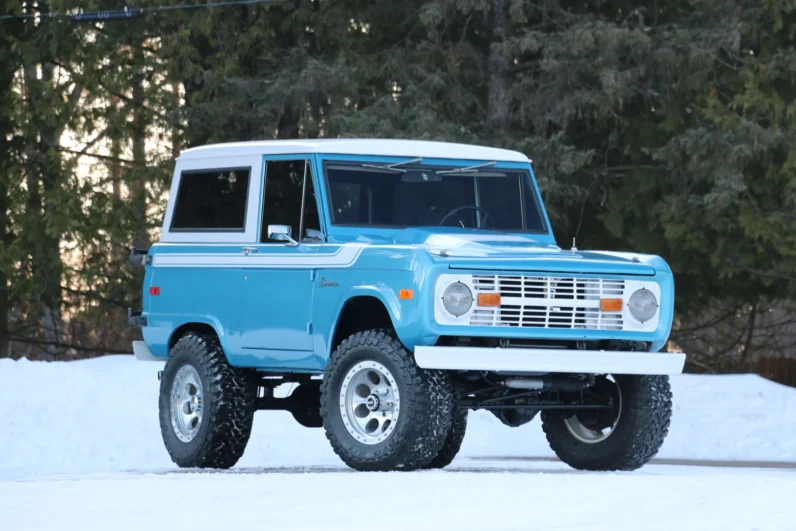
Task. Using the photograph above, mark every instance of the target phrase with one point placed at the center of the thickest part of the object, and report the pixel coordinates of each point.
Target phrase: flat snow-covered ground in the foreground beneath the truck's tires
(533, 497)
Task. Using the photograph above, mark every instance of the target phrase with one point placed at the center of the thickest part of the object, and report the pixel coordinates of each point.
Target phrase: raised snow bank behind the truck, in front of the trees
(101, 415)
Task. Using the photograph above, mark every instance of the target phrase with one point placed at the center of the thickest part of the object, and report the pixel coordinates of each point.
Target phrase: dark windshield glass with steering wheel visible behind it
(492, 199)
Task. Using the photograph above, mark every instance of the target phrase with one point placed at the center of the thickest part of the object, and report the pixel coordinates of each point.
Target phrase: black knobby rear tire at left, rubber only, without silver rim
(229, 405)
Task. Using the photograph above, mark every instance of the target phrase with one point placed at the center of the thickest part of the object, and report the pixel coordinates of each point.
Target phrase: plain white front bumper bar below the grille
(548, 360)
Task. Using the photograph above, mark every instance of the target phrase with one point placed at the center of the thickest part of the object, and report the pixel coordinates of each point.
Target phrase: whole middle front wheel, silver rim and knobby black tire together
(380, 410)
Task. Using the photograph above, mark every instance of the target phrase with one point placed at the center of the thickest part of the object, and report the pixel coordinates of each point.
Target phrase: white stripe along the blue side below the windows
(345, 256)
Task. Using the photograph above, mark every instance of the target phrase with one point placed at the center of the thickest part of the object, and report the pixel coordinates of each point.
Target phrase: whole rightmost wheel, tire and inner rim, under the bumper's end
(623, 437)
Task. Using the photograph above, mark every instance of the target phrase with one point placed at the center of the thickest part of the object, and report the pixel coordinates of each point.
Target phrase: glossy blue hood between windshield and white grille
(496, 251)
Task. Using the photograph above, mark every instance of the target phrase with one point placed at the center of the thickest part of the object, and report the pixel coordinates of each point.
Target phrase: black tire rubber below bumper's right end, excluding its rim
(642, 426)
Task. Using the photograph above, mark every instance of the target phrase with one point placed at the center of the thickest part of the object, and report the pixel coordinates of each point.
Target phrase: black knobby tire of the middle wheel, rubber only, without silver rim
(426, 406)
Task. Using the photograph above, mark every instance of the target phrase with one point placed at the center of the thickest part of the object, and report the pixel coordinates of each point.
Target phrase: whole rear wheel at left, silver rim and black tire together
(206, 406)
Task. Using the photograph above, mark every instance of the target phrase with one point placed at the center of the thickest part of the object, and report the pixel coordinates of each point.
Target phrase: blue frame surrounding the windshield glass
(524, 169)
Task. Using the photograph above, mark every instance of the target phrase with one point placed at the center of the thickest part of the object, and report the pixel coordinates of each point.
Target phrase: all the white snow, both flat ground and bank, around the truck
(80, 448)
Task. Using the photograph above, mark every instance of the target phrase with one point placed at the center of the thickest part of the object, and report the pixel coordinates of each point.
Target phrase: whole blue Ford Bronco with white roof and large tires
(396, 285)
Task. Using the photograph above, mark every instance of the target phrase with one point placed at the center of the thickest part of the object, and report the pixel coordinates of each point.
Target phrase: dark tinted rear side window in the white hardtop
(211, 200)
